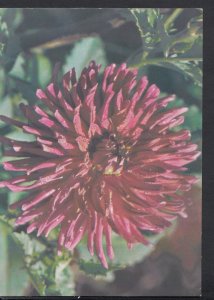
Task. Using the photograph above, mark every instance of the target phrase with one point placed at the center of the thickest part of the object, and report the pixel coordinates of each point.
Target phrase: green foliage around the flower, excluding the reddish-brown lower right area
(168, 48)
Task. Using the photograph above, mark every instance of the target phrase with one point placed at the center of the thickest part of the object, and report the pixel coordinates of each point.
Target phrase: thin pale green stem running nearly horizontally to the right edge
(157, 60)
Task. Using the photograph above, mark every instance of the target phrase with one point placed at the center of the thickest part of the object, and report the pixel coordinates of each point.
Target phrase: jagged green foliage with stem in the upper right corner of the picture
(177, 50)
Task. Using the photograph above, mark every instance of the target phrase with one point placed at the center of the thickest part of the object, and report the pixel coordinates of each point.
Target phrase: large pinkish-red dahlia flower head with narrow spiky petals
(104, 158)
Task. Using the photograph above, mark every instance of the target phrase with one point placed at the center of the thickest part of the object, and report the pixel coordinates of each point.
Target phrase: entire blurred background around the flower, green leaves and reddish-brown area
(166, 45)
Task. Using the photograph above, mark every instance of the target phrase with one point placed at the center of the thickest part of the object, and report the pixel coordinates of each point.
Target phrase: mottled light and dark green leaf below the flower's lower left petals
(50, 274)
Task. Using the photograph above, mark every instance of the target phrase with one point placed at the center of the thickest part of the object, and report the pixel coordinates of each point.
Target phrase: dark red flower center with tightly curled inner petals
(108, 154)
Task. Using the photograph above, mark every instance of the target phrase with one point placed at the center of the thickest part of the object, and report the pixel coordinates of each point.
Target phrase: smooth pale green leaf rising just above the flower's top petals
(83, 52)
